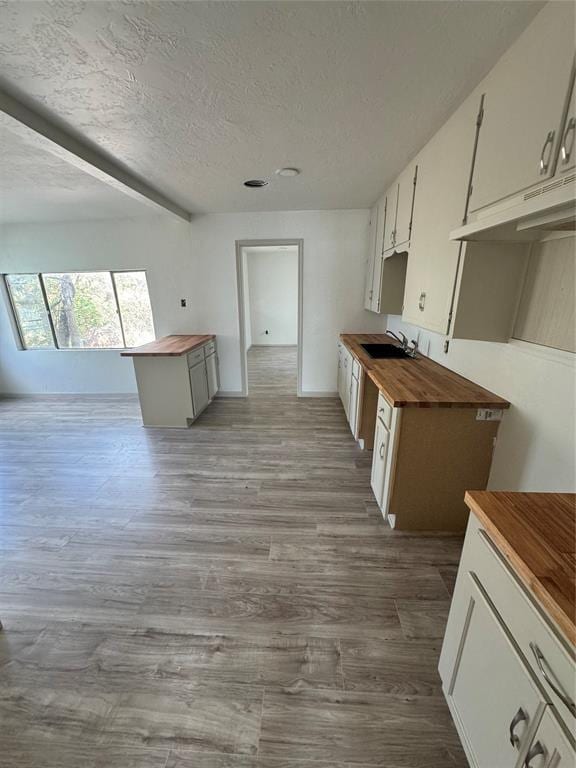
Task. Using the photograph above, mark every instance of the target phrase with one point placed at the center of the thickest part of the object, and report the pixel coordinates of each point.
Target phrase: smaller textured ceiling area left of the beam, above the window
(35, 186)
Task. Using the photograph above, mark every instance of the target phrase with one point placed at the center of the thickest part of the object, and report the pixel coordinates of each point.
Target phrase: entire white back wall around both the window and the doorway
(194, 261)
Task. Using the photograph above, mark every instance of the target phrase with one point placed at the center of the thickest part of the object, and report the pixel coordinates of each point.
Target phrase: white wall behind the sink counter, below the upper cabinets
(535, 449)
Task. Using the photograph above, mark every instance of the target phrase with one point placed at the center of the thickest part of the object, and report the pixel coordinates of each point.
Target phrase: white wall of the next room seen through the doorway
(273, 296)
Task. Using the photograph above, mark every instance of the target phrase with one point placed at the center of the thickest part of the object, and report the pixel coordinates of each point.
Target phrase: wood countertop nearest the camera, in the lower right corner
(536, 534)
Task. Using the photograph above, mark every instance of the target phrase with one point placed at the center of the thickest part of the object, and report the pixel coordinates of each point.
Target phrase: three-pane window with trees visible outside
(81, 310)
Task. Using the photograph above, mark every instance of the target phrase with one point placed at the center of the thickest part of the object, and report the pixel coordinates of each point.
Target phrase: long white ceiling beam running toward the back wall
(32, 127)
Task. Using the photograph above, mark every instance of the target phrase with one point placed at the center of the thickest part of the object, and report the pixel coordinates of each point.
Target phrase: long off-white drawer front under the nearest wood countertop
(543, 650)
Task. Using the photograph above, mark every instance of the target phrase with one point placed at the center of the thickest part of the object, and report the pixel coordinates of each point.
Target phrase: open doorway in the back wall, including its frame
(269, 276)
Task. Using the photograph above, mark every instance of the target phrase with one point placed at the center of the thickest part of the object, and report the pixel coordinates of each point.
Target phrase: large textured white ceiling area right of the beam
(198, 96)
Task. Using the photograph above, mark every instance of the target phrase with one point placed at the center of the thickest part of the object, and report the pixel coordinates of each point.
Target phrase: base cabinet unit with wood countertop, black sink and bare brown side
(432, 433)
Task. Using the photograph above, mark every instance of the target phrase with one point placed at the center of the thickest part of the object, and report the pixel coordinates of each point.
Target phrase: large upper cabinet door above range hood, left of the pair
(525, 97)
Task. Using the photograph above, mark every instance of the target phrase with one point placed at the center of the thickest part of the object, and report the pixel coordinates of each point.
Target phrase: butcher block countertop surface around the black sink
(419, 382)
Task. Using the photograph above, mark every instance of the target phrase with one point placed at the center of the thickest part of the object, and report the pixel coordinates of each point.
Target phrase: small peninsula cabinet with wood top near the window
(177, 377)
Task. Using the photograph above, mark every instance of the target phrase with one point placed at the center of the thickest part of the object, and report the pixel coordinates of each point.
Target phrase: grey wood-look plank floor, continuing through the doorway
(226, 596)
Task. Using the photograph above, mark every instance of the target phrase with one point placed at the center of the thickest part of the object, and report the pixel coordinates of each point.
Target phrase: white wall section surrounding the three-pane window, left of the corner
(158, 244)
